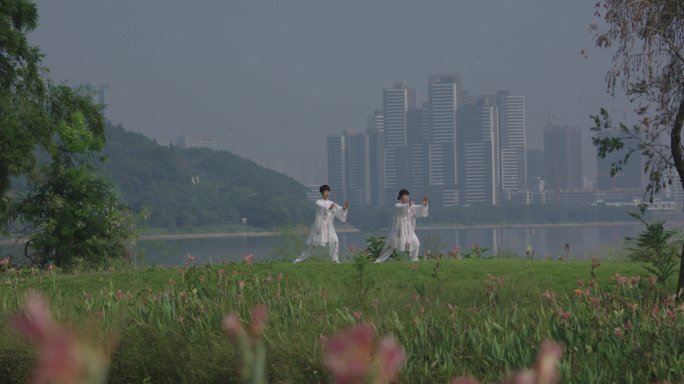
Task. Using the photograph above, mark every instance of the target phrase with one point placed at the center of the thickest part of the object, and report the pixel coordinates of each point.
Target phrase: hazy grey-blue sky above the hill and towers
(284, 74)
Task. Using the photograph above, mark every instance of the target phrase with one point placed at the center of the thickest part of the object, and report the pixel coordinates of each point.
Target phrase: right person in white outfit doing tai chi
(402, 236)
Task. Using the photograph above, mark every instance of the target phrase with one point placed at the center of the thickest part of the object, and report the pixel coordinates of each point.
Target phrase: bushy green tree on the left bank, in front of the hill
(70, 212)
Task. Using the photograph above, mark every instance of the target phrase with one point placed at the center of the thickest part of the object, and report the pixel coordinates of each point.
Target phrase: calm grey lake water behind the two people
(584, 241)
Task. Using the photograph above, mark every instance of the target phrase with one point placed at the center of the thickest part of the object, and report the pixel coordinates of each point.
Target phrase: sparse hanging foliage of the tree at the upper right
(648, 65)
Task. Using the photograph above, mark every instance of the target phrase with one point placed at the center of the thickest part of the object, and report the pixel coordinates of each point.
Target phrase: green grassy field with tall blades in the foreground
(167, 321)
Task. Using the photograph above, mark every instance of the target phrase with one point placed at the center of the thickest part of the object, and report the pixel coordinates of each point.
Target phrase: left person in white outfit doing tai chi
(323, 231)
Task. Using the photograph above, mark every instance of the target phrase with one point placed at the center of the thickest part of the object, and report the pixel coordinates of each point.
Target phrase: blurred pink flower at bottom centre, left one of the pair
(348, 354)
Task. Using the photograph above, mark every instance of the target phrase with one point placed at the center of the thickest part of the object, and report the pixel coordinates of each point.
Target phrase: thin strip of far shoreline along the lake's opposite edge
(219, 235)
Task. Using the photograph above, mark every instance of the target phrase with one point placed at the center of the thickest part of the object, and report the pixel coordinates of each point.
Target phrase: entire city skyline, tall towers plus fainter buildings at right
(464, 149)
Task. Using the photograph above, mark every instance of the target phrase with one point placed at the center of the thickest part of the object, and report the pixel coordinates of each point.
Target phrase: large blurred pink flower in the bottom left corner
(63, 358)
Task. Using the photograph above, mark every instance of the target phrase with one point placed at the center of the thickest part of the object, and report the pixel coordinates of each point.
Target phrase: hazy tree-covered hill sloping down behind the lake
(189, 187)
